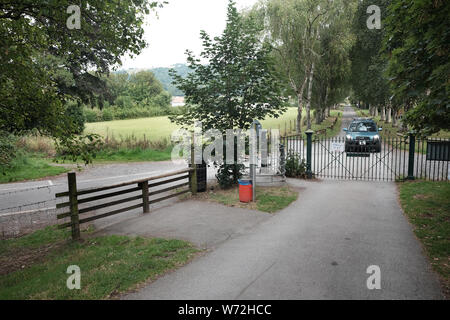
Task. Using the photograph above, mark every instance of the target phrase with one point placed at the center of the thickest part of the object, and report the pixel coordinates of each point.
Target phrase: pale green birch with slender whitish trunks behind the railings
(310, 42)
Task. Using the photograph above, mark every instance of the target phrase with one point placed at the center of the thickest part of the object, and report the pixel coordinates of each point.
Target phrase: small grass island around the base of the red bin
(268, 199)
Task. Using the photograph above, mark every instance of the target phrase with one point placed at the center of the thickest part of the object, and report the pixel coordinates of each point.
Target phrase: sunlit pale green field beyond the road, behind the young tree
(160, 127)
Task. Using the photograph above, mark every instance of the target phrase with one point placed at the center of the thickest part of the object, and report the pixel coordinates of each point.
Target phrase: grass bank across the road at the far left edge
(29, 168)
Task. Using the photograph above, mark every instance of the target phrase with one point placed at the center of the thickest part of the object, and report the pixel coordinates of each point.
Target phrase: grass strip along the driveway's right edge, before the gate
(427, 206)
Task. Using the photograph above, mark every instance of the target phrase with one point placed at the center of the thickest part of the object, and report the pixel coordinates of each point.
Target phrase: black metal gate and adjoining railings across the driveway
(393, 159)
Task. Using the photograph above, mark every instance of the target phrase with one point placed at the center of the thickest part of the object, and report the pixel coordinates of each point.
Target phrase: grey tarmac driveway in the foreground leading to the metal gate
(318, 248)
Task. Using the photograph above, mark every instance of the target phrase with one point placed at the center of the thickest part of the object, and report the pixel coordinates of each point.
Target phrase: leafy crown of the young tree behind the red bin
(237, 85)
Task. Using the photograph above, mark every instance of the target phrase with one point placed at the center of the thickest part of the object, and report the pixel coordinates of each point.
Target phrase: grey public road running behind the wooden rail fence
(25, 207)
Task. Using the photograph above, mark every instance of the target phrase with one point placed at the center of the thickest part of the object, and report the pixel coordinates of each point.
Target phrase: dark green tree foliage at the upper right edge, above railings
(417, 45)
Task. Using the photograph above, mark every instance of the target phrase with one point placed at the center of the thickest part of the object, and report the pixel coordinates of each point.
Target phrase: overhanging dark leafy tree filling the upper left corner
(44, 62)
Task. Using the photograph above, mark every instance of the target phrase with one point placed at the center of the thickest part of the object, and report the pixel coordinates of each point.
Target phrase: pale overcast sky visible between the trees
(177, 28)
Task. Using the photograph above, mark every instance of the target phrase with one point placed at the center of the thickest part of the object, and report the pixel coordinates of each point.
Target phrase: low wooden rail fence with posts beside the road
(143, 185)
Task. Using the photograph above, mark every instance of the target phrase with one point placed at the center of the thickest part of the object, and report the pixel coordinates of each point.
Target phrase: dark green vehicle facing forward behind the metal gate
(363, 136)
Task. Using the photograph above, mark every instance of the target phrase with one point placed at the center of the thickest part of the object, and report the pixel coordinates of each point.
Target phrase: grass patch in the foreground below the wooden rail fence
(35, 266)
